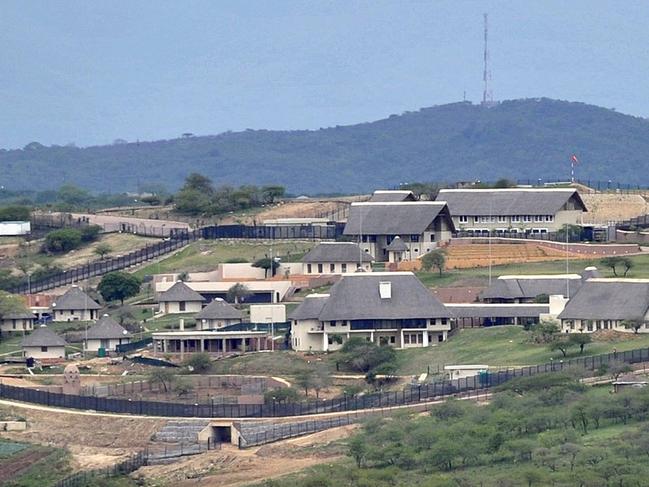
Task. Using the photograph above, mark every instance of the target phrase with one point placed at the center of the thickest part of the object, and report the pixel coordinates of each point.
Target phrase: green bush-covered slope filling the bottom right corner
(543, 430)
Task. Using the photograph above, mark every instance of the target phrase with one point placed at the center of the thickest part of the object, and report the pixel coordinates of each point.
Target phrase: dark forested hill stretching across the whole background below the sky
(530, 138)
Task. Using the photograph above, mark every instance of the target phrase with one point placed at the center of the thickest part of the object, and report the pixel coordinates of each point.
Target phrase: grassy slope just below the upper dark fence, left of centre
(206, 254)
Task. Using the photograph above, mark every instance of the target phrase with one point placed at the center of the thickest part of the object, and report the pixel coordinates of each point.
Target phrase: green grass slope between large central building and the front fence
(499, 346)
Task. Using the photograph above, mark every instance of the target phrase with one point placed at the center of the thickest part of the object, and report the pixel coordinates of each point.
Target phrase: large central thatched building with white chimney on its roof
(392, 308)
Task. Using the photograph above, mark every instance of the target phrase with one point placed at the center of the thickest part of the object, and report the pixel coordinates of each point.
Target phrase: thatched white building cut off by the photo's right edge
(607, 304)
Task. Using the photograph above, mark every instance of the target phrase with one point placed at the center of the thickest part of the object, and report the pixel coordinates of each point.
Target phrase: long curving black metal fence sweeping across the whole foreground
(409, 395)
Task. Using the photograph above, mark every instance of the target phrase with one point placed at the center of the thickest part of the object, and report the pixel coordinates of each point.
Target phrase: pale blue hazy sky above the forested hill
(90, 72)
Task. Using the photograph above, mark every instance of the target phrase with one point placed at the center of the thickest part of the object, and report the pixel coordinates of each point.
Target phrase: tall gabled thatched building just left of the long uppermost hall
(421, 226)
